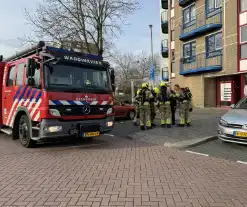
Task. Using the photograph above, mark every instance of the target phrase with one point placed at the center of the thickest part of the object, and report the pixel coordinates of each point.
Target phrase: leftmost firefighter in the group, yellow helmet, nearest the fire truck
(144, 98)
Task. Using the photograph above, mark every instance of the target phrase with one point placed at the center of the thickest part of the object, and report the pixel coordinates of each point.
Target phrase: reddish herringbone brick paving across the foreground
(118, 172)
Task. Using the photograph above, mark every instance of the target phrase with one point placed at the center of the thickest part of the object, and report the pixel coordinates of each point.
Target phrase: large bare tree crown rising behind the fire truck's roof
(85, 21)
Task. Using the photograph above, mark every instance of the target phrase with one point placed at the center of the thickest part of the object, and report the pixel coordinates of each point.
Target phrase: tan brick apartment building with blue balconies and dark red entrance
(208, 50)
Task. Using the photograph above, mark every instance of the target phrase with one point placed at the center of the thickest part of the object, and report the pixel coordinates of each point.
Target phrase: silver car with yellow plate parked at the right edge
(233, 125)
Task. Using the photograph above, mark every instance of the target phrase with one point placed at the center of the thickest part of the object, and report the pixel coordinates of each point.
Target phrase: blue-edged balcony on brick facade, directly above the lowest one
(201, 24)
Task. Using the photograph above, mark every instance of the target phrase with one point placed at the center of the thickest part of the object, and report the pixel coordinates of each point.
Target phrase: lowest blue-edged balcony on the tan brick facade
(201, 63)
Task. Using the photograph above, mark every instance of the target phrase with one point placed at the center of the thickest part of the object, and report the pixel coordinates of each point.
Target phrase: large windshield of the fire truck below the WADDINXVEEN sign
(73, 78)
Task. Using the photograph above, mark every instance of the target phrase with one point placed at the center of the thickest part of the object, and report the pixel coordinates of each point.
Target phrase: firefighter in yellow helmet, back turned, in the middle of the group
(165, 107)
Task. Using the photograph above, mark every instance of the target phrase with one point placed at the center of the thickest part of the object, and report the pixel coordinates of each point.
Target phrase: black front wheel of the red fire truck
(24, 132)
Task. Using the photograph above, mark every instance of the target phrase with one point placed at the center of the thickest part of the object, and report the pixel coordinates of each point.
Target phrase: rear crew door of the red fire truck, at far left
(8, 94)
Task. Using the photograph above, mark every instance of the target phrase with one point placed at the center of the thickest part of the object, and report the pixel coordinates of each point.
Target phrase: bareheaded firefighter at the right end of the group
(184, 97)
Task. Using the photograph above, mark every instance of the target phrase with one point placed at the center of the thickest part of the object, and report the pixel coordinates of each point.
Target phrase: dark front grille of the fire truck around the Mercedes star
(78, 110)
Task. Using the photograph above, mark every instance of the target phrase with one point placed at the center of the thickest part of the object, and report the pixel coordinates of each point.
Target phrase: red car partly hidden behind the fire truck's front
(124, 110)
